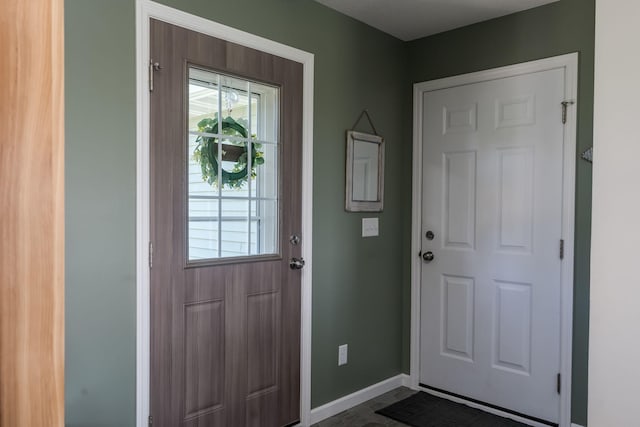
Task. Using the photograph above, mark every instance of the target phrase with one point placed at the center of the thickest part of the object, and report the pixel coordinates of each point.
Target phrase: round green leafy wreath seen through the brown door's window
(206, 153)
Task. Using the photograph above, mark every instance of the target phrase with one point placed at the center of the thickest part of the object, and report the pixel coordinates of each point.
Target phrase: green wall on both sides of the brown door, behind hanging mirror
(357, 283)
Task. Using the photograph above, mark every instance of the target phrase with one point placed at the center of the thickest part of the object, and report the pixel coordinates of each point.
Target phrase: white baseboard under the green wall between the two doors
(347, 402)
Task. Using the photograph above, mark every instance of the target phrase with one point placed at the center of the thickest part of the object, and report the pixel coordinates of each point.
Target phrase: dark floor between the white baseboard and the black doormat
(364, 415)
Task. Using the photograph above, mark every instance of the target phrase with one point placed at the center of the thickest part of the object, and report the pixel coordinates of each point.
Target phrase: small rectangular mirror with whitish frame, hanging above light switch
(365, 172)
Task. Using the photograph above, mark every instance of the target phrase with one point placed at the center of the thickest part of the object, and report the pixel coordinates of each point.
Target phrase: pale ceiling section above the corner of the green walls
(412, 19)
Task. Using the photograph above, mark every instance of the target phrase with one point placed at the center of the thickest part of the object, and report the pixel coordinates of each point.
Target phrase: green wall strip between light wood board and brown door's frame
(100, 213)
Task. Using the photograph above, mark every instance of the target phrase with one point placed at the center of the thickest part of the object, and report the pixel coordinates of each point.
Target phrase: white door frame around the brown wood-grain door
(145, 10)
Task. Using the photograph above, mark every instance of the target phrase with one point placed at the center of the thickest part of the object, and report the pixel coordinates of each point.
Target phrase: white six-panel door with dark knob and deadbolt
(492, 198)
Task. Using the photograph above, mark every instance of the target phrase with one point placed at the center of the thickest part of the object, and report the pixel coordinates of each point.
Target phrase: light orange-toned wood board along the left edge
(32, 219)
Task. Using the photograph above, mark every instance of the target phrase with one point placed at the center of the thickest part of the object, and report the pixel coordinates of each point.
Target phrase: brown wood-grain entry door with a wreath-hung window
(225, 304)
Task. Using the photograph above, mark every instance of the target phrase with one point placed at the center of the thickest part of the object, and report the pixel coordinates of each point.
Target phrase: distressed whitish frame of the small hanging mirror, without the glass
(362, 205)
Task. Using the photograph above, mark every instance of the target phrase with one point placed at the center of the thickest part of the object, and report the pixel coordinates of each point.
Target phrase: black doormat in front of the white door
(425, 410)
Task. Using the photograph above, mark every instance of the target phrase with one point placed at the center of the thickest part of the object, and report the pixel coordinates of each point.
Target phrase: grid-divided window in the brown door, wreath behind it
(232, 167)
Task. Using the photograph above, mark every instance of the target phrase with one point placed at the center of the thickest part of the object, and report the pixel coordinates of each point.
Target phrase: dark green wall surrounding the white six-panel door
(562, 27)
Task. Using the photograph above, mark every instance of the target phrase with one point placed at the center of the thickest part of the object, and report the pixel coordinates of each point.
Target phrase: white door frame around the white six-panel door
(570, 63)
